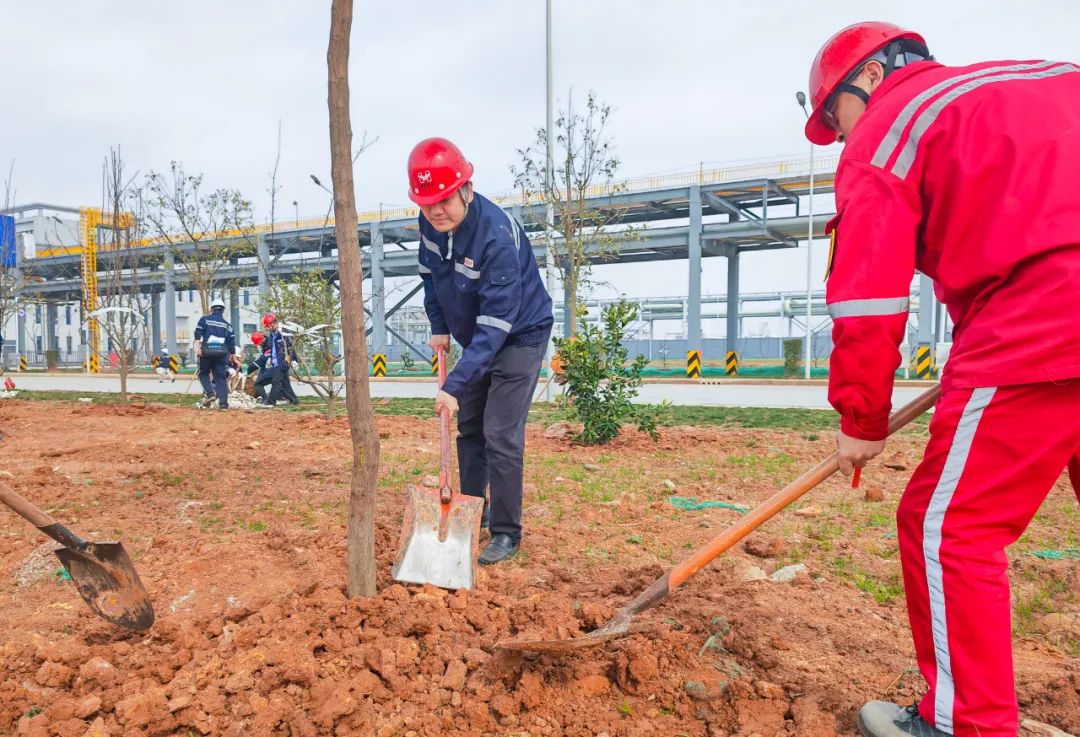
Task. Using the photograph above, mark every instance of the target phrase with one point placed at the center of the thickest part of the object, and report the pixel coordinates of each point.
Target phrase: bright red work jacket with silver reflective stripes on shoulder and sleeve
(973, 177)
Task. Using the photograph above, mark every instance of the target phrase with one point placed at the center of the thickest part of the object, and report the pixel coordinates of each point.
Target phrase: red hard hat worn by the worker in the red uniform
(841, 56)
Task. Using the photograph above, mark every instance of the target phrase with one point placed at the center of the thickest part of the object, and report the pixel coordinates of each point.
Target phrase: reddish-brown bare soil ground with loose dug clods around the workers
(244, 554)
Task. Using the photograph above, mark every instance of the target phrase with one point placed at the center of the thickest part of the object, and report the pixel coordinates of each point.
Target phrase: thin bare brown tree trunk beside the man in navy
(366, 439)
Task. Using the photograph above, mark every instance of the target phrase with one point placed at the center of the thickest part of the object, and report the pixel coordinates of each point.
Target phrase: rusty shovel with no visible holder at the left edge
(102, 572)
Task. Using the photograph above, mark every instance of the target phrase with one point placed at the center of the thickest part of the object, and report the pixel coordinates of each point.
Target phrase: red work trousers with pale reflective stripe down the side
(994, 455)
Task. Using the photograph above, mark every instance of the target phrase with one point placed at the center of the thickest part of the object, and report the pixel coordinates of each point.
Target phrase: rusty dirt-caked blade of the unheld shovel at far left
(107, 581)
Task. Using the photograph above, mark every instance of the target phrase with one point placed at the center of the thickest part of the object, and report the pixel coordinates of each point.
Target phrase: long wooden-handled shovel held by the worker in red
(622, 625)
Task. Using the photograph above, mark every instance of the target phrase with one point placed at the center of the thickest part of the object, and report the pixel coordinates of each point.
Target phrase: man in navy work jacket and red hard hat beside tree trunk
(482, 286)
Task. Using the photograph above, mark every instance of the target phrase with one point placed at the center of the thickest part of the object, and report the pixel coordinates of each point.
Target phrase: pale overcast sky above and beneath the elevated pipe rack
(206, 83)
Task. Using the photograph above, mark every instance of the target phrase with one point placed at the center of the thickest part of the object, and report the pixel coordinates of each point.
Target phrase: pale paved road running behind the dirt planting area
(728, 395)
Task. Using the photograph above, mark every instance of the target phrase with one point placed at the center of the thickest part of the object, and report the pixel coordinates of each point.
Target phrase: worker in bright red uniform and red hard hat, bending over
(967, 175)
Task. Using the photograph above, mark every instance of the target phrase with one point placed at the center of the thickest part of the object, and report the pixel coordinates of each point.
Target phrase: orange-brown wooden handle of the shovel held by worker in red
(775, 504)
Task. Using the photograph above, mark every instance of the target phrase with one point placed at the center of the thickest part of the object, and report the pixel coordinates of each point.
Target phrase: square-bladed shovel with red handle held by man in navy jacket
(441, 530)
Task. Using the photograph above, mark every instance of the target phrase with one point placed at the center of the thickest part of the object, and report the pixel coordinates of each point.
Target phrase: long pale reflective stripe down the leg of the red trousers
(946, 689)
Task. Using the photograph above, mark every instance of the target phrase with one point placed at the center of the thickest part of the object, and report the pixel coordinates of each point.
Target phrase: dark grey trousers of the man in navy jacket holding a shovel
(492, 417)
